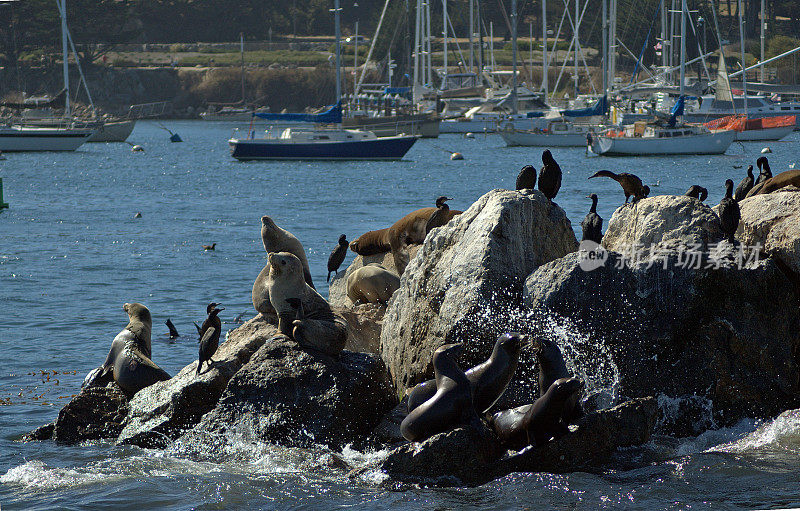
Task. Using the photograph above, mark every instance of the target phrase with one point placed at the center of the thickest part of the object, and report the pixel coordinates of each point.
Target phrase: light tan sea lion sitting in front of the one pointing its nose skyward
(319, 328)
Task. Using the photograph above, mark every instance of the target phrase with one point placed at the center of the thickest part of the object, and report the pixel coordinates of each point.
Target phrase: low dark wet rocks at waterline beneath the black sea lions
(464, 456)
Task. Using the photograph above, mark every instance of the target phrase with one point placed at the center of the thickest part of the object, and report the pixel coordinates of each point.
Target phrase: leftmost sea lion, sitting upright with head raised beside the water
(128, 361)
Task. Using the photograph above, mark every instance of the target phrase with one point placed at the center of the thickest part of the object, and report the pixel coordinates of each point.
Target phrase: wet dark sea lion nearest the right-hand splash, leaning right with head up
(537, 423)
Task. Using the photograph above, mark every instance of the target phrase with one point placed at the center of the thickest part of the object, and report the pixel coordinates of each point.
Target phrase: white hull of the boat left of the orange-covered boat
(704, 143)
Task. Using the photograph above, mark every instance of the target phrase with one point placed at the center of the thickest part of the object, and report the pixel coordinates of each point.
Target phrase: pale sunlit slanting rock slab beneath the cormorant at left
(163, 411)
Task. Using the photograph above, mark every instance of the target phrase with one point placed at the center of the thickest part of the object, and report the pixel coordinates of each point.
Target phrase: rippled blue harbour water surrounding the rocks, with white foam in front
(71, 253)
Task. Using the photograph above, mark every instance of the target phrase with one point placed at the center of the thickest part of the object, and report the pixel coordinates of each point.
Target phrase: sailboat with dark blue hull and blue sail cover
(319, 142)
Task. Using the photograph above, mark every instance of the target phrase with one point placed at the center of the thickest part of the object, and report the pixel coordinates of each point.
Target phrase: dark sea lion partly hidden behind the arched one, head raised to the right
(488, 380)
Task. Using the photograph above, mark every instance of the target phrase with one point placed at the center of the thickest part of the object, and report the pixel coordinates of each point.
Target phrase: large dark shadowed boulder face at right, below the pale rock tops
(726, 334)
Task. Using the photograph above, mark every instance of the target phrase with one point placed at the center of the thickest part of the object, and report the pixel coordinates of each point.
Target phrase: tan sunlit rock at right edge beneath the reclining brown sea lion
(773, 221)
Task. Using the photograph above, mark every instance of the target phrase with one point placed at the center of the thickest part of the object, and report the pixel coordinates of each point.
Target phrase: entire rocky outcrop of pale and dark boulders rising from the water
(668, 348)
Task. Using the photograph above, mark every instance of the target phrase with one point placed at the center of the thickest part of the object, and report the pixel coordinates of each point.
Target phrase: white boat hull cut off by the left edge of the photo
(29, 138)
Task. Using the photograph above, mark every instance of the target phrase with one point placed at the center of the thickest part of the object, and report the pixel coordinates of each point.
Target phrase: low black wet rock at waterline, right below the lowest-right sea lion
(588, 448)
